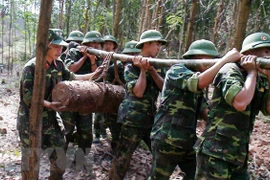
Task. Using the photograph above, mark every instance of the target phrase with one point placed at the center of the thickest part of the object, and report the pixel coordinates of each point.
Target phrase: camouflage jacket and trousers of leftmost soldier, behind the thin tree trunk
(52, 136)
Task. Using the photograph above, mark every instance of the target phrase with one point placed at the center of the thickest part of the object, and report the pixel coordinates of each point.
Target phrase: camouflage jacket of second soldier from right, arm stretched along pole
(181, 102)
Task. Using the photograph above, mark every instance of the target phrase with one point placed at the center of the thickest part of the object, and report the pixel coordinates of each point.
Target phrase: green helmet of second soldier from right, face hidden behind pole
(201, 47)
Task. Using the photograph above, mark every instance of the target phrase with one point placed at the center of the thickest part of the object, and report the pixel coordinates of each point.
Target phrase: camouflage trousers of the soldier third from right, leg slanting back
(130, 138)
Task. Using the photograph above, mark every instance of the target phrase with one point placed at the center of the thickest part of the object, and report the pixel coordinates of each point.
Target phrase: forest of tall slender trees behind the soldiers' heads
(225, 22)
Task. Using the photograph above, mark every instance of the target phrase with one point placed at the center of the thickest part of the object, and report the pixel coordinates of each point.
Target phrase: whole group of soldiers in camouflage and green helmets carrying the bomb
(161, 105)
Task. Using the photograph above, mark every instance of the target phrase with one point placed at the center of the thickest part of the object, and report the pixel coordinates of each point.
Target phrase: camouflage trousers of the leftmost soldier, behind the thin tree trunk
(53, 143)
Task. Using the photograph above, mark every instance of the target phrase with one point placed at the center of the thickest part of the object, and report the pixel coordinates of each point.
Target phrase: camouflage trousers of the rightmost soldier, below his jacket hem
(211, 168)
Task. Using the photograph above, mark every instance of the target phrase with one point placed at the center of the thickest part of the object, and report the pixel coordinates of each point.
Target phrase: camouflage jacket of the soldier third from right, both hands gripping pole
(134, 111)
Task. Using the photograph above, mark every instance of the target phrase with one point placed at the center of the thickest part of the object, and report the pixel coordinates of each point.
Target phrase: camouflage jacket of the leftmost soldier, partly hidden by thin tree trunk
(56, 72)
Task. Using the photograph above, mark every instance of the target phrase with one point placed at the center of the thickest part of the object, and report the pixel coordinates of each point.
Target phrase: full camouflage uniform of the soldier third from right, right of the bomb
(137, 116)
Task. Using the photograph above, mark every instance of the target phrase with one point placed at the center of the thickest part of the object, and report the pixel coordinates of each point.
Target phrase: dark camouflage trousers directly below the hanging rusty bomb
(83, 124)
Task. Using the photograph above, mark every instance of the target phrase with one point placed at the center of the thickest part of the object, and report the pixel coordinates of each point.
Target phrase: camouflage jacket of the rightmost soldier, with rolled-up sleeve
(228, 132)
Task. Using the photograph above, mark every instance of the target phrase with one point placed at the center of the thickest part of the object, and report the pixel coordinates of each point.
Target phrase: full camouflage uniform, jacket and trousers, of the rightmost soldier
(223, 147)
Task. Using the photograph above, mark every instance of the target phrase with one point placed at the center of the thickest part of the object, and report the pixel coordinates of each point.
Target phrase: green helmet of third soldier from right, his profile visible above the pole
(150, 35)
